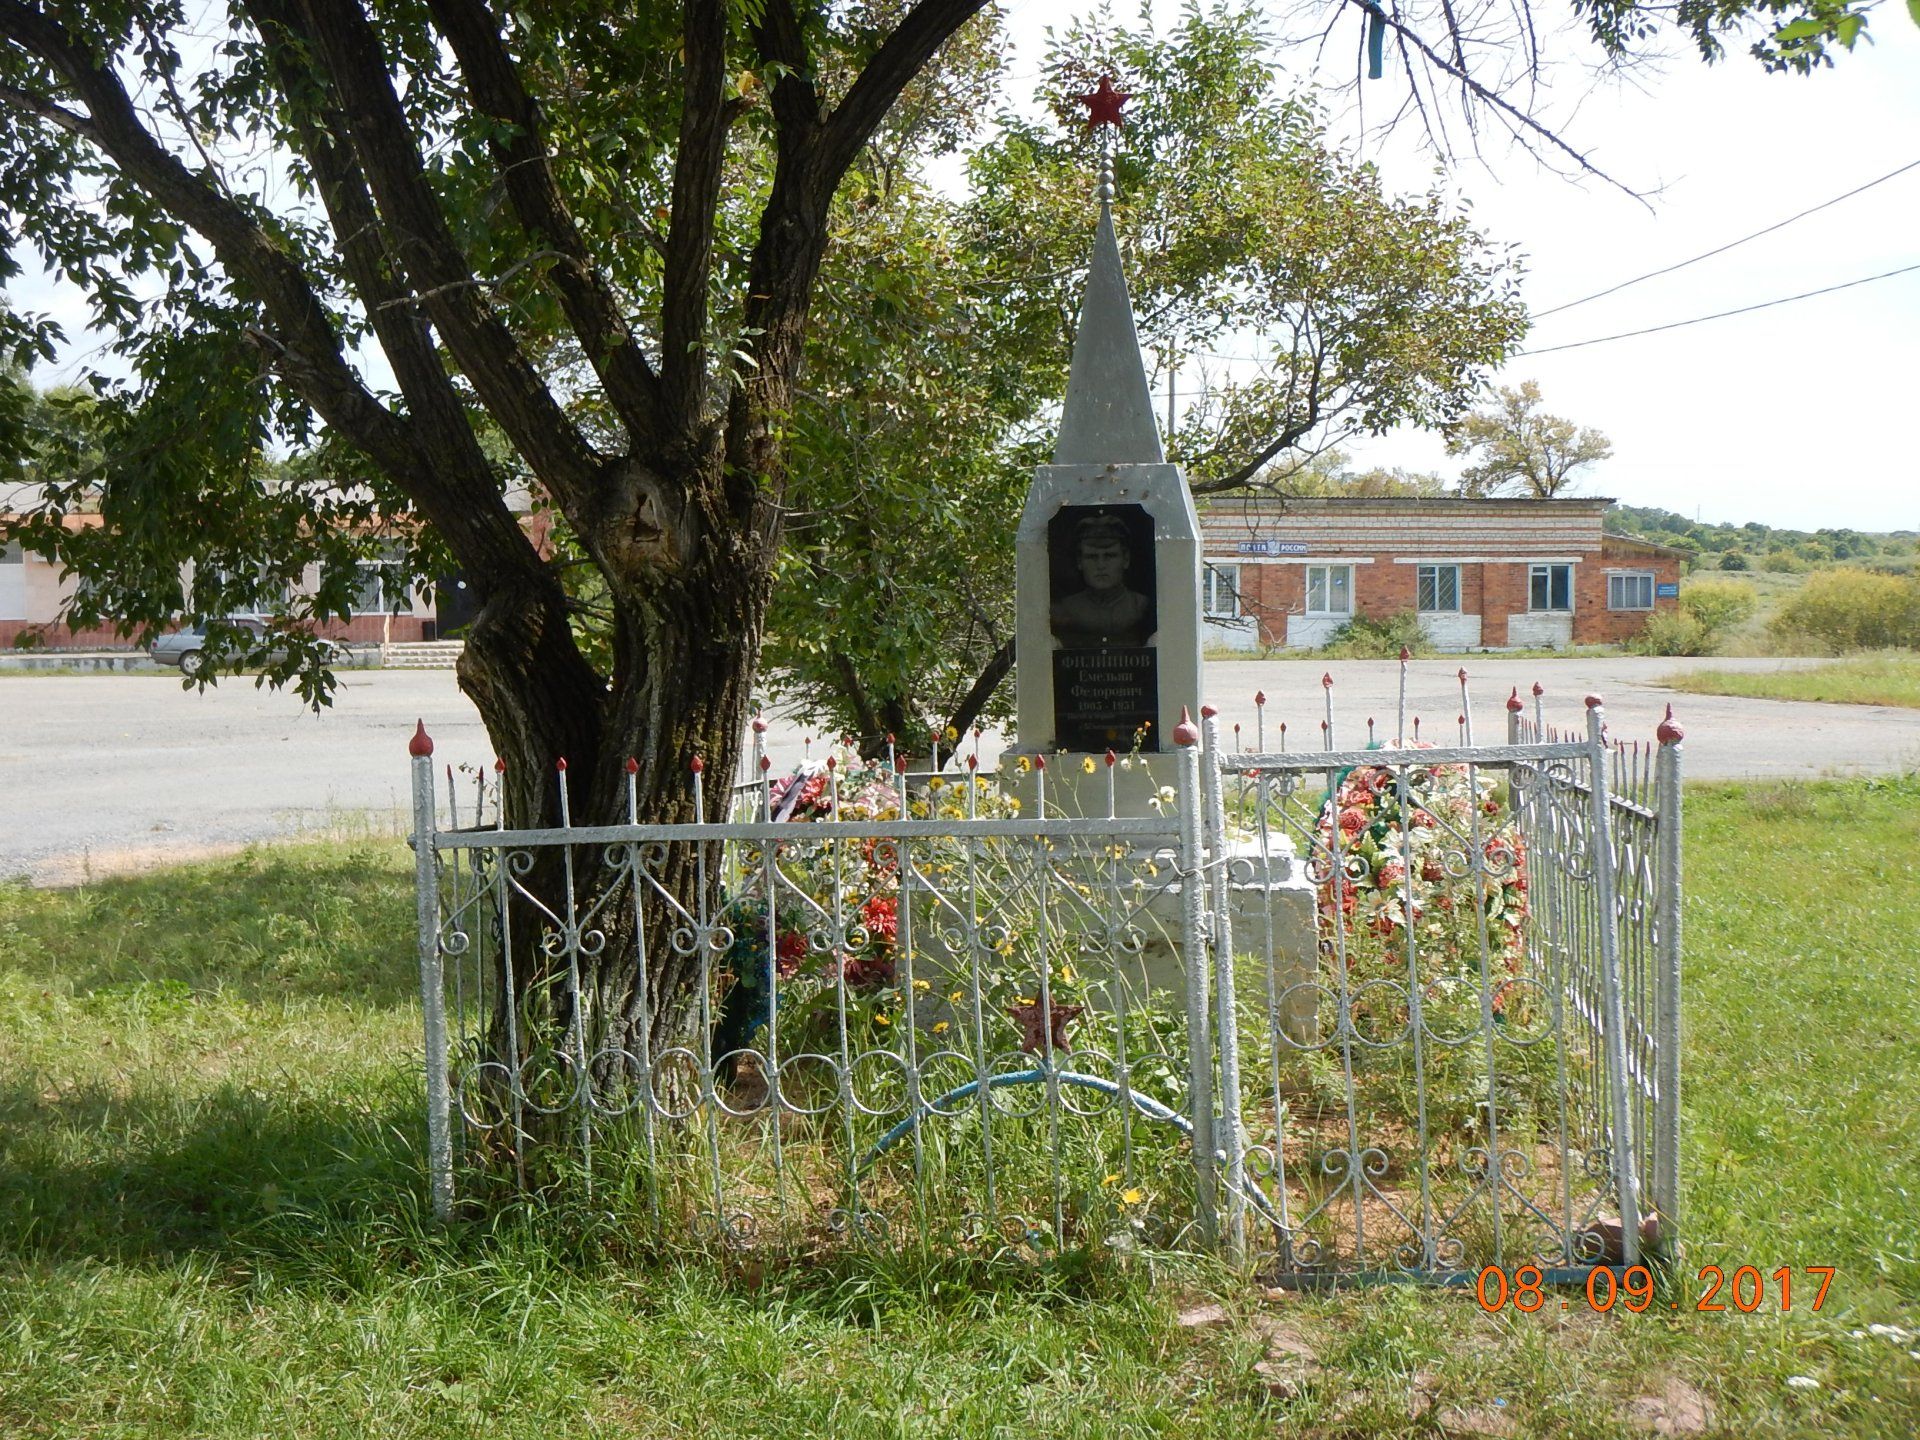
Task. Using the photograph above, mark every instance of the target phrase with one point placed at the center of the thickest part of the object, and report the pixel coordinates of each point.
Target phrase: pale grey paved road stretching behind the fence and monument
(103, 775)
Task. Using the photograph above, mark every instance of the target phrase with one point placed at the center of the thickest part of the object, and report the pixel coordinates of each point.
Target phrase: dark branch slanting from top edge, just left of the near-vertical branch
(527, 172)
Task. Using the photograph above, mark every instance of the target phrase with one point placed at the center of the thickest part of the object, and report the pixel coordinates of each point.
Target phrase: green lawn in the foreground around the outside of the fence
(212, 1216)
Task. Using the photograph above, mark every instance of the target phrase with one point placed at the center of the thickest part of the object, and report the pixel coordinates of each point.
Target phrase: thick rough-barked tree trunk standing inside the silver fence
(684, 671)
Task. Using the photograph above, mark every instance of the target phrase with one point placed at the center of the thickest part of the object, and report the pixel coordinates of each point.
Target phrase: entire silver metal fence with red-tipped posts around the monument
(942, 1009)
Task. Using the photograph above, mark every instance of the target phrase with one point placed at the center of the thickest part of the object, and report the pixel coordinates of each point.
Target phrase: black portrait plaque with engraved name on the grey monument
(1107, 686)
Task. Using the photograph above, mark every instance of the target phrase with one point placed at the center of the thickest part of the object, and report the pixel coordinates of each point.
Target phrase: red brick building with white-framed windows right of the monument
(1479, 573)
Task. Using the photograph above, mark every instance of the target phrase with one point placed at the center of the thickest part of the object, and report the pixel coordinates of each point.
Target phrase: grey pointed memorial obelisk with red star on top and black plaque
(1109, 546)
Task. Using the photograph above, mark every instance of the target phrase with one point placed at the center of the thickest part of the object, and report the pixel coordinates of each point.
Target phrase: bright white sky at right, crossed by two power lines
(1798, 416)
